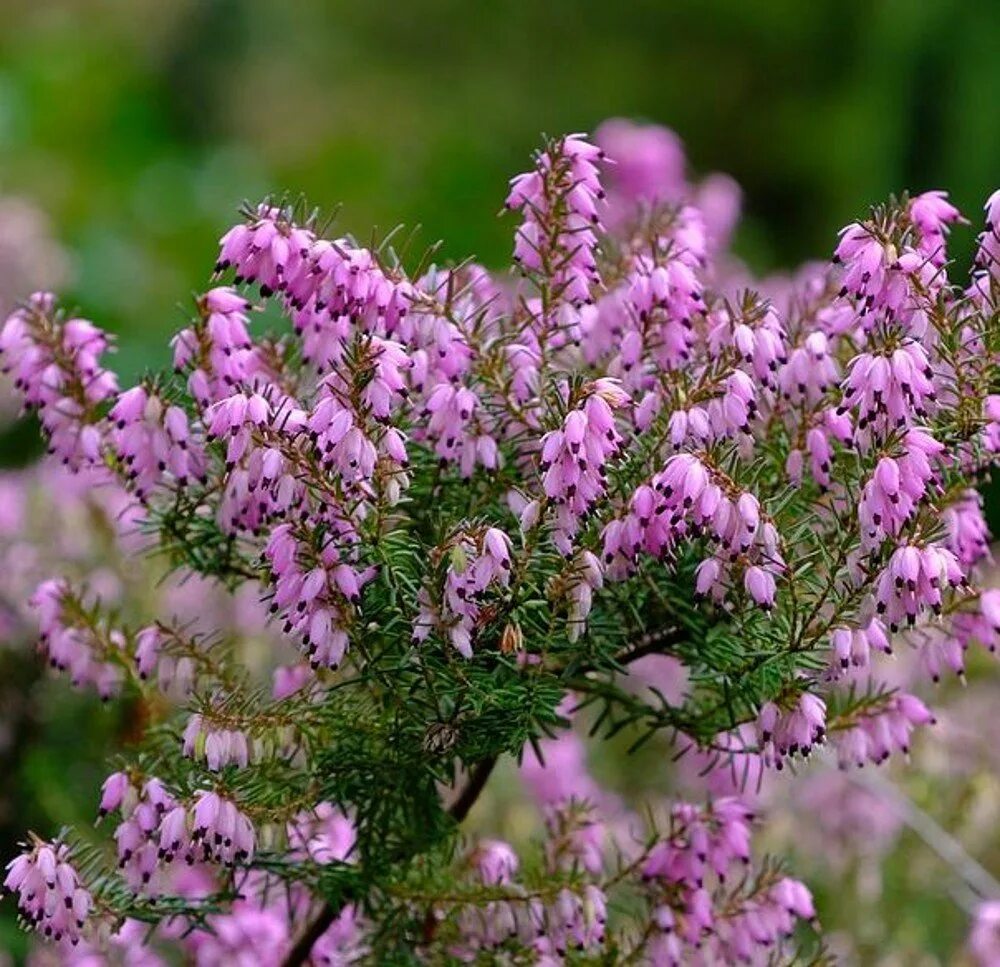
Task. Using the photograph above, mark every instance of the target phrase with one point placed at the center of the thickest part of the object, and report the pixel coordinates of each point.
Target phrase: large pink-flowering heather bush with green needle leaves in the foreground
(620, 485)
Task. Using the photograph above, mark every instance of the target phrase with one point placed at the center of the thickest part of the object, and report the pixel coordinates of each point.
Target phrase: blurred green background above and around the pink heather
(135, 128)
